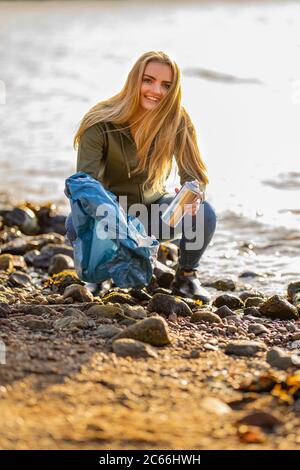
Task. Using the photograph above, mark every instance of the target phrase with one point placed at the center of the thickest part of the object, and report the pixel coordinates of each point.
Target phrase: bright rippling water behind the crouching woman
(241, 85)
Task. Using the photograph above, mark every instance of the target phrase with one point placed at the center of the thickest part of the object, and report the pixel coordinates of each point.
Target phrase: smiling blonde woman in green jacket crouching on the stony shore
(128, 142)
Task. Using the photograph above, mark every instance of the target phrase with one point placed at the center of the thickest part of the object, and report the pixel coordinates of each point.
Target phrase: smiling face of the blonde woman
(157, 80)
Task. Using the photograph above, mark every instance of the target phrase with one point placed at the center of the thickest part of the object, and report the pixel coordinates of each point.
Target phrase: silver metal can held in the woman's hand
(176, 210)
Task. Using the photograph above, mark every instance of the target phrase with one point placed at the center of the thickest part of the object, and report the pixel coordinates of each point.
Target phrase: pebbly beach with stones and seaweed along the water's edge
(138, 368)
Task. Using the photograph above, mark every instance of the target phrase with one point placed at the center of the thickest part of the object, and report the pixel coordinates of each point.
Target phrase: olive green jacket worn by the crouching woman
(110, 157)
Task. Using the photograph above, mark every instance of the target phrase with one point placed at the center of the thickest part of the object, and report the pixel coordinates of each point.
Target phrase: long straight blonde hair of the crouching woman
(162, 132)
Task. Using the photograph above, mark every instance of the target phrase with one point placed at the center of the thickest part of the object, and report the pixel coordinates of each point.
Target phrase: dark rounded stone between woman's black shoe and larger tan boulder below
(167, 304)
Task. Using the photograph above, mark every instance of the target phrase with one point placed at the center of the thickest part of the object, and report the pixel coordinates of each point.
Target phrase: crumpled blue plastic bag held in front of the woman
(109, 244)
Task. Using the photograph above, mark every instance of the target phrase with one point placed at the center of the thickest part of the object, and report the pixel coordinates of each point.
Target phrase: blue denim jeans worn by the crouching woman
(183, 236)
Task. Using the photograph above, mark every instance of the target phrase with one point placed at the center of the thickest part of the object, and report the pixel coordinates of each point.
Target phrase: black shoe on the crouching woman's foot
(189, 286)
